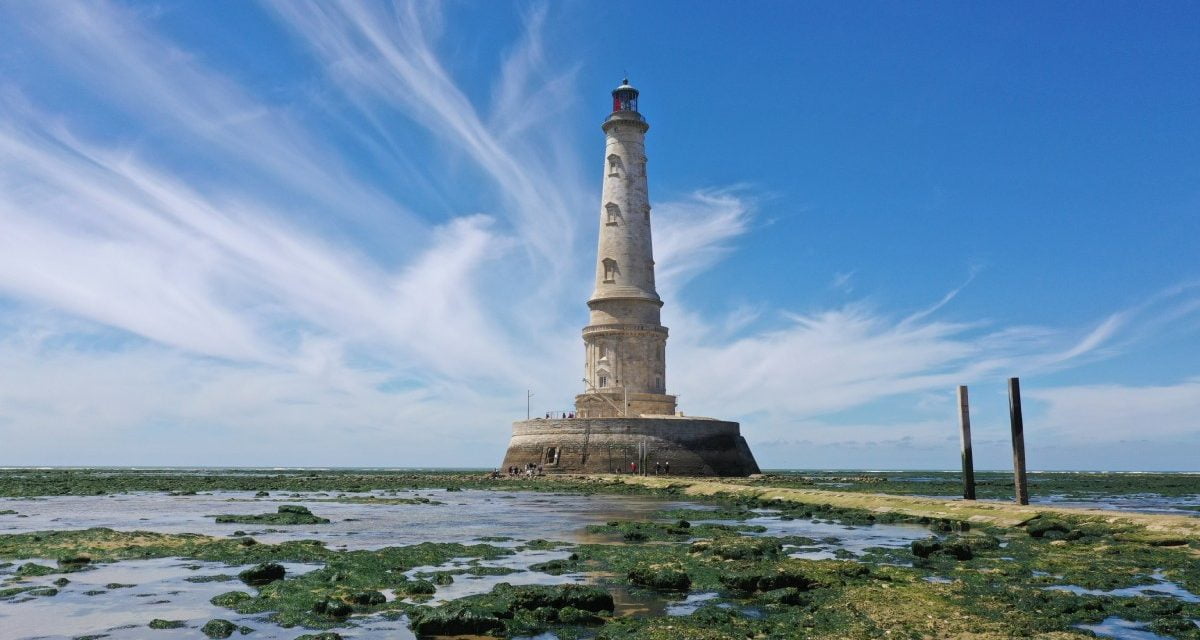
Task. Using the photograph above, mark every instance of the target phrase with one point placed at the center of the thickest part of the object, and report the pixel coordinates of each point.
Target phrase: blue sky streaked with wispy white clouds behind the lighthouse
(291, 234)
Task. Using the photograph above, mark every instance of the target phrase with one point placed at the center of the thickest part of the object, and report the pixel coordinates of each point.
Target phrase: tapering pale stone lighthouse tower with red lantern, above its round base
(625, 342)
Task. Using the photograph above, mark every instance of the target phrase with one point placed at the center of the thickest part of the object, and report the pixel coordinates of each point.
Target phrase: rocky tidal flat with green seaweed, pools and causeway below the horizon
(147, 554)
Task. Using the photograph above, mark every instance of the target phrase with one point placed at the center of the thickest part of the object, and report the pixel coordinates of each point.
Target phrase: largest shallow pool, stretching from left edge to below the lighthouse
(519, 516)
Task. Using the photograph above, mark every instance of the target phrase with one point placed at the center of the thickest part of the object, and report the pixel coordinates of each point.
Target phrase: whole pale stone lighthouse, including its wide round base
(625, 421)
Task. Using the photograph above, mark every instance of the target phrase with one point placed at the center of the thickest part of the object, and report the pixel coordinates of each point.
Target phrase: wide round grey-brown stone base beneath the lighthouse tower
(693, 446)
